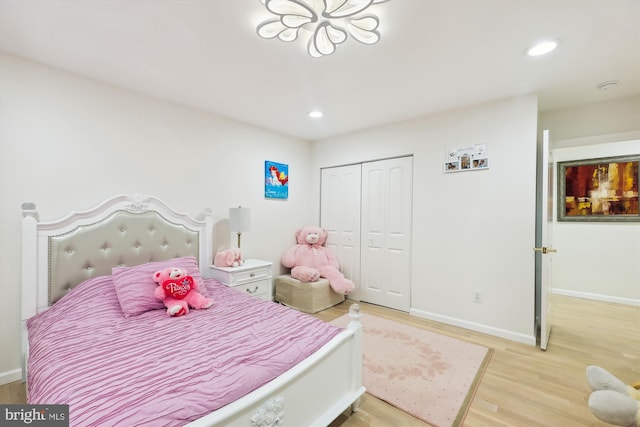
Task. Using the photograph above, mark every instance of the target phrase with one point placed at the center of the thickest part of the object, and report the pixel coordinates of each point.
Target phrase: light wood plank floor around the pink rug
(522, 386)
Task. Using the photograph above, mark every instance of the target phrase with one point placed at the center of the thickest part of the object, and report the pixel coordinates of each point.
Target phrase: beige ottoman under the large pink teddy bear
(309, 297)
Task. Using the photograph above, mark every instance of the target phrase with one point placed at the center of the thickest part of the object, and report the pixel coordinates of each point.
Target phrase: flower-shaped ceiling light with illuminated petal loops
(327, 22)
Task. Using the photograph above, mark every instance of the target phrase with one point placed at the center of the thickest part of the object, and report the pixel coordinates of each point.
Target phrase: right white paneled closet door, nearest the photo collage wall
(385, 269)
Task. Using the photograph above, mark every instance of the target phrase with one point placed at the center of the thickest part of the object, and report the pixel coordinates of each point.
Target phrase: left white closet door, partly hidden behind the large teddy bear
(340, 216)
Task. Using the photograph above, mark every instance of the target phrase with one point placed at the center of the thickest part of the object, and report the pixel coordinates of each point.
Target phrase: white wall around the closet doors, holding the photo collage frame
(471, 230)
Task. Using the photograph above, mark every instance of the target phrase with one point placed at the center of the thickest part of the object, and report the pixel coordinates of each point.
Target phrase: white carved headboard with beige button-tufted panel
(122, 231)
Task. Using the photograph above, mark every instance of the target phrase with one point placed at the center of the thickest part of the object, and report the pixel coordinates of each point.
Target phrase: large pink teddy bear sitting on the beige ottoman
(309, 260)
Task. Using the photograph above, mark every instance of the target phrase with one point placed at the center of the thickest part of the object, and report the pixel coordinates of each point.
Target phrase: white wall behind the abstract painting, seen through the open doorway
(597, 260)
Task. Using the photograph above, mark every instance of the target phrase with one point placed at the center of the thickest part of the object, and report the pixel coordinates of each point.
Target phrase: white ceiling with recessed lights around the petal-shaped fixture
(433, 55)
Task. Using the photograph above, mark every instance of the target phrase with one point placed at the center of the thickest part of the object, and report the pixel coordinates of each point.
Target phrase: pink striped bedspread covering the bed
(161, 371)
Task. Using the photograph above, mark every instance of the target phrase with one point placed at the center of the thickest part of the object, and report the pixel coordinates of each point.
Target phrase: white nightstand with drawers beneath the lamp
(253, 277)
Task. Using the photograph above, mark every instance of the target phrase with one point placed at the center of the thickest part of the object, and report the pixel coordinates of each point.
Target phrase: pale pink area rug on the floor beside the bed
(430, 376)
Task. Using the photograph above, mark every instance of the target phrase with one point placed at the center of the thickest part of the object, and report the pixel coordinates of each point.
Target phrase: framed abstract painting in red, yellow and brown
(604, 189)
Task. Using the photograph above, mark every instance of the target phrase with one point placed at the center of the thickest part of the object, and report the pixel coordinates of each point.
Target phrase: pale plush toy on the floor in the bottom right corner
(611, 400)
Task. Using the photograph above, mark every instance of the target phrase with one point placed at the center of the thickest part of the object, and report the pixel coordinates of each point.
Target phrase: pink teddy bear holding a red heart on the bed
(179, 291)
